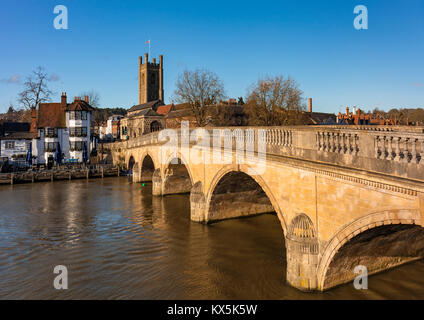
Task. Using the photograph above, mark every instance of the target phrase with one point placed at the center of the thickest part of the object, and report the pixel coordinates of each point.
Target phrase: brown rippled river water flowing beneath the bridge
(119, 242)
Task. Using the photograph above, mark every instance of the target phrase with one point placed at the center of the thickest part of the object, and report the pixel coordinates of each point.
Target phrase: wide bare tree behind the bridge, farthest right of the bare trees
(275, 101)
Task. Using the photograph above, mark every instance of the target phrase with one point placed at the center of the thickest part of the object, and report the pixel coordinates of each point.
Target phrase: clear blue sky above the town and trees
(313, 41)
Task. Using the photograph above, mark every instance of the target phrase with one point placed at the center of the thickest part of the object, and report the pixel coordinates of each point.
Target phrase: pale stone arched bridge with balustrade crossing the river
(345, 196)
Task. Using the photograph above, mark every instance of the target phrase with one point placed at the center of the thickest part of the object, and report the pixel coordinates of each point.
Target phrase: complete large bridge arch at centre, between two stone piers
(243, 172)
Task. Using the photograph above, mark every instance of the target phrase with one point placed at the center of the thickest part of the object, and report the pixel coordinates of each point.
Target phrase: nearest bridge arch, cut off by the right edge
(362, 230)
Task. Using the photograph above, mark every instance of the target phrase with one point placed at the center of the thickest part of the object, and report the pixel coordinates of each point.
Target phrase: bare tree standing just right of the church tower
(200, 89)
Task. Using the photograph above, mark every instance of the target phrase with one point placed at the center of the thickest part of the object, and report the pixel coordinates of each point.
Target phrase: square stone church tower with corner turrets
(150, 79)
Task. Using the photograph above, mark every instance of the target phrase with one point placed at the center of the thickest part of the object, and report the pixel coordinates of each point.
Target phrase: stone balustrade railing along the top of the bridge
(392, 150)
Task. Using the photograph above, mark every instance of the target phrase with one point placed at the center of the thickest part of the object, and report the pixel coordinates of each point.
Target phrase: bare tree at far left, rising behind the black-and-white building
(35, 89)
